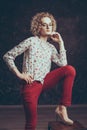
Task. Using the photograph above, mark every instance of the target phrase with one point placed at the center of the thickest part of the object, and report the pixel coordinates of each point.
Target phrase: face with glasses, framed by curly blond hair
(46, 26)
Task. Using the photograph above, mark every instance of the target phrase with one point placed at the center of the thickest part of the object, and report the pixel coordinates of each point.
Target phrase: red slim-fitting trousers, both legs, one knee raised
(31, 92)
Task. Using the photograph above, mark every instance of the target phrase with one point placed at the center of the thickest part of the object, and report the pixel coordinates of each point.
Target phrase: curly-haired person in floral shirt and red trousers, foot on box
(36, 75)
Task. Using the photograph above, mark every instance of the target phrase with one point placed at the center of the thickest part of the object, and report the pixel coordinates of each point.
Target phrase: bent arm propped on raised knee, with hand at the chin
(59, 58)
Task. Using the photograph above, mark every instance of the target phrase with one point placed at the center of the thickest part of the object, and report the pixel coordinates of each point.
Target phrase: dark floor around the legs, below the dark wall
(12, 117)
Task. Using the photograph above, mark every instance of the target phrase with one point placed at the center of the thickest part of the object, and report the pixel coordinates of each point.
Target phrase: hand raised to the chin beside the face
(56, 37)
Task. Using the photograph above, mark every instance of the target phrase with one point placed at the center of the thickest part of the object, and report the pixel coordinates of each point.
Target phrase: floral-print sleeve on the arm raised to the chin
(59, 58)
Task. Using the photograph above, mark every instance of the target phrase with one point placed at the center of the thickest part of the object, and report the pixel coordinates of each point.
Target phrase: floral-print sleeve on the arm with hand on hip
(10, 56)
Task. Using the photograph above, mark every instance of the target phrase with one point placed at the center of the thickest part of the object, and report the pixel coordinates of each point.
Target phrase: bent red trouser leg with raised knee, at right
(67, 73)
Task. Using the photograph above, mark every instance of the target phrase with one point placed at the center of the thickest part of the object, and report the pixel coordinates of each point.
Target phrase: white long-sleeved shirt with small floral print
(37, 58)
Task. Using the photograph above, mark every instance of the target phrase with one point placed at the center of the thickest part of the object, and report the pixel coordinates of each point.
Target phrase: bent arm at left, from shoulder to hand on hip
(10, 56)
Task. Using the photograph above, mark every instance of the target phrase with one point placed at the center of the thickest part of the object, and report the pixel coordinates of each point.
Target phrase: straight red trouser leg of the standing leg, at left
(30, 94)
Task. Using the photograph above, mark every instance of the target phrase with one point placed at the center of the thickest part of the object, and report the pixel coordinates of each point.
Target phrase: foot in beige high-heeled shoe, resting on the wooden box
(62, 112)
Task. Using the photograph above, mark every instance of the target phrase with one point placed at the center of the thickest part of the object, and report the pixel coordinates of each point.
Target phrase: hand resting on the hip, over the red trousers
(28, 78)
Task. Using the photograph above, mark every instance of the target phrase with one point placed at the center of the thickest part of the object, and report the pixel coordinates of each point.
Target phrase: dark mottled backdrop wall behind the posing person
(71, 16)
